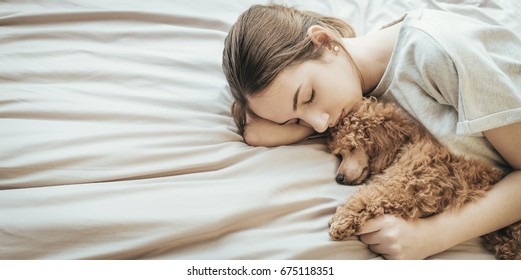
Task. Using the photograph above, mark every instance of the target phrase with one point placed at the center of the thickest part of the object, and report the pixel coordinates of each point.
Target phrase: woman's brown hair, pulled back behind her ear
(264, 41)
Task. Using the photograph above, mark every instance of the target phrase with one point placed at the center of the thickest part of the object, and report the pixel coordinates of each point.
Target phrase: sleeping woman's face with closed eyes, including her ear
(316, 93)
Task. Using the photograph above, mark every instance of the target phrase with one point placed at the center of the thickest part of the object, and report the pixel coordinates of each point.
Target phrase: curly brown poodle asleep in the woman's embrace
(407, 173)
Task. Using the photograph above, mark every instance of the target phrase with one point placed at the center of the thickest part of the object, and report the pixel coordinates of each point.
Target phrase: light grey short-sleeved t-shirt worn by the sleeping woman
(458, 77)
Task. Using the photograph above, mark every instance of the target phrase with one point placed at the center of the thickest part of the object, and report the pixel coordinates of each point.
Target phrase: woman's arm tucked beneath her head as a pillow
(261, 132)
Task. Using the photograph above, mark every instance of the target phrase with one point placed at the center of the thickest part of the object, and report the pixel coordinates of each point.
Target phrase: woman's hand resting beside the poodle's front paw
(395, 238)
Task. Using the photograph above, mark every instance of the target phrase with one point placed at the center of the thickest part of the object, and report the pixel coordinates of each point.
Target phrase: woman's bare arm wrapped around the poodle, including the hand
(395, 238)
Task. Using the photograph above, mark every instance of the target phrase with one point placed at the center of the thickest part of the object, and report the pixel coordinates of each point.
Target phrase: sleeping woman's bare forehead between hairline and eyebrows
(275, 103)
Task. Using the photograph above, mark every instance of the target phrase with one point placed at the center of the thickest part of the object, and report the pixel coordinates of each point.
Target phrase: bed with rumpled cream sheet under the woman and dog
(116, 139)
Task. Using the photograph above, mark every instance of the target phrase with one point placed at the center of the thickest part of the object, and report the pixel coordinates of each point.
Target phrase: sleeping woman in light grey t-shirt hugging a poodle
(294, 73)
